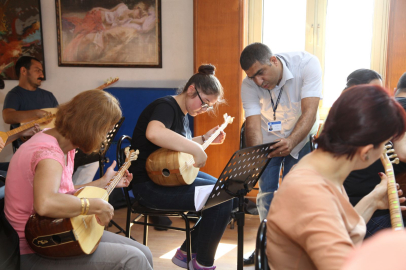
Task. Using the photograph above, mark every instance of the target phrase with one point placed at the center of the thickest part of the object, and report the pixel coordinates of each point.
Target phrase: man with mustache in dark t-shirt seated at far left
(24, 102)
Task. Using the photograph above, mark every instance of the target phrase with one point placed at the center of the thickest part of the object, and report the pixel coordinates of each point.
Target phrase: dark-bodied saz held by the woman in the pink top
(66, 237)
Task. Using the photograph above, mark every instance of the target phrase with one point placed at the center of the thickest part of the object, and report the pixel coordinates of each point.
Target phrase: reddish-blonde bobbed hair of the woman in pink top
(87, 118)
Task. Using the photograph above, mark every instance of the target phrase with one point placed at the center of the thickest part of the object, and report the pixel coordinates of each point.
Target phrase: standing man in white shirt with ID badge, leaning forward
(280, 96)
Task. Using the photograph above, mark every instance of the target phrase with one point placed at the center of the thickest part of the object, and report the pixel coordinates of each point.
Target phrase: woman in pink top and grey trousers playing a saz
(40, 175)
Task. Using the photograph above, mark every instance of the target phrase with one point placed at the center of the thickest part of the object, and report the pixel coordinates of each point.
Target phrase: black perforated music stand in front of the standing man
(237, 179)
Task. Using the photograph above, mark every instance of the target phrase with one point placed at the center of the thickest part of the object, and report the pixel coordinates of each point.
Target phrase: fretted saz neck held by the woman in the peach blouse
(394, 205)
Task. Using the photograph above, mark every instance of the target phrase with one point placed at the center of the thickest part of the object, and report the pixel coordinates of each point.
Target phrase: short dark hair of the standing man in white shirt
(253, 53)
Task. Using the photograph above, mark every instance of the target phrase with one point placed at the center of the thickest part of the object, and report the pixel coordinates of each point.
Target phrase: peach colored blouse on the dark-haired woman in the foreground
(311, 224)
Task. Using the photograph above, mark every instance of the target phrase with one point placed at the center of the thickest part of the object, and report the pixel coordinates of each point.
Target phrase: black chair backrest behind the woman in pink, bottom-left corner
(10, 243)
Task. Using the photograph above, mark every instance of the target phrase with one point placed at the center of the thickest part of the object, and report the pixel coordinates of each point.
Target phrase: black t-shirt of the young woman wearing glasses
(167, 111)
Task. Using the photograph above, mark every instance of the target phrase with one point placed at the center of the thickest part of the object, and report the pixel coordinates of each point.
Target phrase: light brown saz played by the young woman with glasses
(171, 168)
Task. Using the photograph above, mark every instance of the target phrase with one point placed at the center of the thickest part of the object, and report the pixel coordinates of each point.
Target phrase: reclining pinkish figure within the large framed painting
(103, 32)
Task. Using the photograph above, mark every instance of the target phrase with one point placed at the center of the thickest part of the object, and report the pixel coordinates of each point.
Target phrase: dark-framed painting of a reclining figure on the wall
(109, 33)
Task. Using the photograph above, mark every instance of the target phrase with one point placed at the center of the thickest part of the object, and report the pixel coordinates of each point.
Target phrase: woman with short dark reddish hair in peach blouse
(311, 223)
